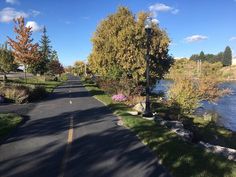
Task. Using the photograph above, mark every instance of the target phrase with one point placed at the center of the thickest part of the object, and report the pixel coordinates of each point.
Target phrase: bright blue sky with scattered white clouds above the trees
(193, 26)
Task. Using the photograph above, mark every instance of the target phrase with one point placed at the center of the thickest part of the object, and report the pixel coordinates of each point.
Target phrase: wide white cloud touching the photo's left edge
(8, 14)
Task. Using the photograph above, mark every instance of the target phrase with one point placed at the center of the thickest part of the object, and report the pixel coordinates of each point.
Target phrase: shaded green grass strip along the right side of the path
(181, 158)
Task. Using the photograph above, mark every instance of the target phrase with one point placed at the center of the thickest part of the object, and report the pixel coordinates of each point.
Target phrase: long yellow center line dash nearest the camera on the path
(68, 147)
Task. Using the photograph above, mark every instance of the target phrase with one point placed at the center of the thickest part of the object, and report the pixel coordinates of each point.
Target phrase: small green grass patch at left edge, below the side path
(7, 123)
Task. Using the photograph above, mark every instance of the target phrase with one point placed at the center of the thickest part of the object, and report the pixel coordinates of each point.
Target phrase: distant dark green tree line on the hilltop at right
(224, 57)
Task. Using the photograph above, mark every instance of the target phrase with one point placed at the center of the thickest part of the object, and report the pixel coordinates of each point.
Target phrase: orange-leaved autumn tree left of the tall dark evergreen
(24, 51)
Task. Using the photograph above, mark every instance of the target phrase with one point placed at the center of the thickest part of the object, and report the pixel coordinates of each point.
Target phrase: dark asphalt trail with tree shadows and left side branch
(71, 134)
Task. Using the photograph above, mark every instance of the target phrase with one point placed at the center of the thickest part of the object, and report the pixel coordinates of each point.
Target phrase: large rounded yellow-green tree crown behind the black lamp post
(119, 48)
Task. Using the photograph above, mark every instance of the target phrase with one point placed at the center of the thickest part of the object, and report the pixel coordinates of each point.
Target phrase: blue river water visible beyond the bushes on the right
(224, 108)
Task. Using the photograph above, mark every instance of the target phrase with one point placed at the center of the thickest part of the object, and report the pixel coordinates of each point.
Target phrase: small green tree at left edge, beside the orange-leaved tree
(6, 61)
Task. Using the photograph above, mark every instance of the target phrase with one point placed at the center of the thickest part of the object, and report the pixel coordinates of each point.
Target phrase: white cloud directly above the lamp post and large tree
(159, 7)
